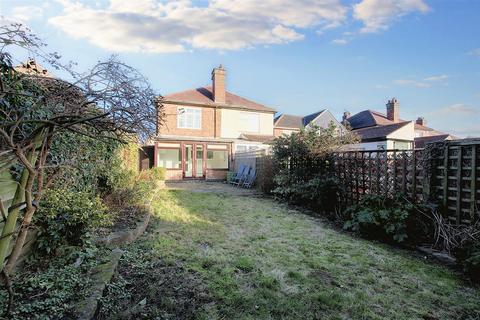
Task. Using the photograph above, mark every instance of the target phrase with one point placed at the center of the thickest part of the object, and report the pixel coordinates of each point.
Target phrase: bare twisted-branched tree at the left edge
(110, 101)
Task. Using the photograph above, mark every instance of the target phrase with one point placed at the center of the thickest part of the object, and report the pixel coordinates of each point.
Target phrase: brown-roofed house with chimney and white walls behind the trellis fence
(379, 131)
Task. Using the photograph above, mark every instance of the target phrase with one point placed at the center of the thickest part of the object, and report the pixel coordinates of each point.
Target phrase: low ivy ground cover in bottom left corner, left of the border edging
(50, 291)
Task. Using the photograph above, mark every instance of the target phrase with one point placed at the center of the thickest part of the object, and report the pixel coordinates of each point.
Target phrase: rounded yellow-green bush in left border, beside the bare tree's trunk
(66, 217)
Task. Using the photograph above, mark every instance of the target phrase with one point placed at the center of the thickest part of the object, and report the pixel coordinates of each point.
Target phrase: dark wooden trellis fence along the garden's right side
(445, 173)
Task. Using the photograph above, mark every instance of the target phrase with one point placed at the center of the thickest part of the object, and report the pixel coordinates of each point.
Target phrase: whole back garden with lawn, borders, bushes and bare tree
(85, 235)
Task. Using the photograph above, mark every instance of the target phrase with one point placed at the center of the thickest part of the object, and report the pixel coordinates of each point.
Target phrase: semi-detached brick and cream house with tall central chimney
(204, 128)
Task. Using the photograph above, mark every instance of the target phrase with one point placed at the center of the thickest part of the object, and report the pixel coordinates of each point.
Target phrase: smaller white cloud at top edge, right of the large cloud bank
(377, 15)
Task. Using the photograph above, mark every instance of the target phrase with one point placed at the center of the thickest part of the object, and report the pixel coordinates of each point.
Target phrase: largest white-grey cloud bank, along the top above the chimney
(174, 26)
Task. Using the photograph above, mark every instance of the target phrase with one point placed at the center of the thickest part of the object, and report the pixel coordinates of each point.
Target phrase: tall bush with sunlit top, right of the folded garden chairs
(304, 167)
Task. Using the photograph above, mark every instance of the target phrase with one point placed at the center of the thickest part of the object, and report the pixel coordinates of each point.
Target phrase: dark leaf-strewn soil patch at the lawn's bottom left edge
(161, 291)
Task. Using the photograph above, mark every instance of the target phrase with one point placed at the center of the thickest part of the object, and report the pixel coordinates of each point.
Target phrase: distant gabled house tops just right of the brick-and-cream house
(285, 124)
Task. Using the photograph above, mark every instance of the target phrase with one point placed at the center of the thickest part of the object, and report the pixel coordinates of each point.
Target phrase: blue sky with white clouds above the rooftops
(295, 56)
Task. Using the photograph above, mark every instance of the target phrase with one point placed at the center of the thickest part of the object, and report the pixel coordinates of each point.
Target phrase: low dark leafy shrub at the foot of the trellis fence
(382, 218)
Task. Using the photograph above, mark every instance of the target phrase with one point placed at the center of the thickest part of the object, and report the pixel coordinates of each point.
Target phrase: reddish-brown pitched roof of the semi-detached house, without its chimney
(204, 95)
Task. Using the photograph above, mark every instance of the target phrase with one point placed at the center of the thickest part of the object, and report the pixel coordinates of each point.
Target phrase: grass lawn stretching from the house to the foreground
(219, 256)
